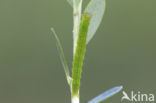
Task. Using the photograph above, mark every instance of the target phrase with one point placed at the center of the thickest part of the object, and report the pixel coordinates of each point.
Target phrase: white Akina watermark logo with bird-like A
(137, 97)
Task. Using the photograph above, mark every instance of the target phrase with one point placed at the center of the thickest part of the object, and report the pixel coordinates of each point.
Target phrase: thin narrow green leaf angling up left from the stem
(62, 57)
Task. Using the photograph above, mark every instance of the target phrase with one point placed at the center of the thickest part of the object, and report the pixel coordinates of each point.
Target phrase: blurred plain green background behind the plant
(123, 51)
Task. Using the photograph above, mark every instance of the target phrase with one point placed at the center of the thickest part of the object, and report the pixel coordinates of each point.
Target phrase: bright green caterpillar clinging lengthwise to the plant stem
(79, 53)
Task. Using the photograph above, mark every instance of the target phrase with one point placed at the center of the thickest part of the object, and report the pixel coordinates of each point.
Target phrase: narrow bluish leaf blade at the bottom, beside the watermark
(106, 95)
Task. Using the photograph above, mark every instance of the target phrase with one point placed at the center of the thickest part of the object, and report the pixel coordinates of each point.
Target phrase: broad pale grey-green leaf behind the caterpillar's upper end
(96, 9)
